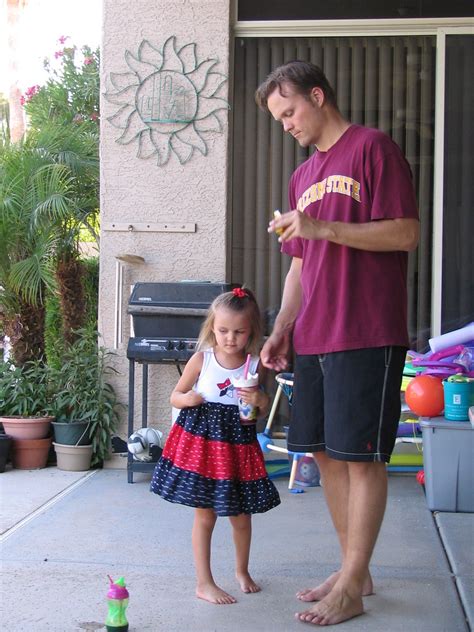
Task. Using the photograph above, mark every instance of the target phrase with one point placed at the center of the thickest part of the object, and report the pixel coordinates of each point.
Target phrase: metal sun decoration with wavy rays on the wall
(168, 101)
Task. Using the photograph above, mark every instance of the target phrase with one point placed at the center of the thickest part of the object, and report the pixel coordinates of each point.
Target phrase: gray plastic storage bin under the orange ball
(448, 450)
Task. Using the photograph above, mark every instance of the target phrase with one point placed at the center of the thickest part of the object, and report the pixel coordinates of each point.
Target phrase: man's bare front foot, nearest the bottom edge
(336, 607)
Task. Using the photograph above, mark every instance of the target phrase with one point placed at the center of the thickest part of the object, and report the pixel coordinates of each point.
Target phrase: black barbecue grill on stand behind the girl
(166, 321)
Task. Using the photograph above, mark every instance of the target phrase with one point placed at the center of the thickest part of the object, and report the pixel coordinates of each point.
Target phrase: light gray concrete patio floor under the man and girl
(63, 532)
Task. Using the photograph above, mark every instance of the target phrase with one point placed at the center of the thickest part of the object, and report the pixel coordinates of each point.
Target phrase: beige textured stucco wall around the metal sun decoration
(136, 190)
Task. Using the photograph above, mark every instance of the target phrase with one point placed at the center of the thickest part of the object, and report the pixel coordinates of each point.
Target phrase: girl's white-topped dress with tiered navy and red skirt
(210, 460)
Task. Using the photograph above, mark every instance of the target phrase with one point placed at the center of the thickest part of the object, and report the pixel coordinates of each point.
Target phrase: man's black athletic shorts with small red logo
(347, 403)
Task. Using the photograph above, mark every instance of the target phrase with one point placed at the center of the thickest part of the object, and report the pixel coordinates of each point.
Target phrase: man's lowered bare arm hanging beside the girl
(276, 349)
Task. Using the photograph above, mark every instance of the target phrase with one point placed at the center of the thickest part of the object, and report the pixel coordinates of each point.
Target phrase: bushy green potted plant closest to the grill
(84, 401)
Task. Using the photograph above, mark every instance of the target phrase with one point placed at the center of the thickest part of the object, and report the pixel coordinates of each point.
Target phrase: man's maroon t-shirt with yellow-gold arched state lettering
(352, 299)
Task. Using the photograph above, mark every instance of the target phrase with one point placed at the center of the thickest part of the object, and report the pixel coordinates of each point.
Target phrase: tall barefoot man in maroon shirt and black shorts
(344, 308)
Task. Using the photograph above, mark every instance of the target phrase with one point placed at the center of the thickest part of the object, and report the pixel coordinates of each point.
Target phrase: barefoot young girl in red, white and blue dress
(211, 461)
